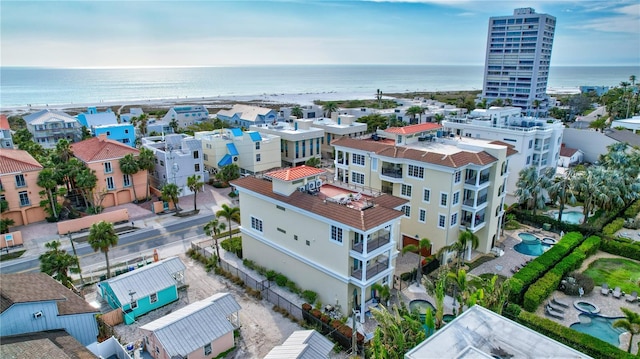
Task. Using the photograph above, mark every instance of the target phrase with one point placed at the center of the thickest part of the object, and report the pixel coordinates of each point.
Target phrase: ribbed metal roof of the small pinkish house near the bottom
(195, 325)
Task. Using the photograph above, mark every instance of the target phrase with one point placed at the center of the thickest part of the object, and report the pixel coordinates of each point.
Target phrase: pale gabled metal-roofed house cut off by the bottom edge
(302, 344)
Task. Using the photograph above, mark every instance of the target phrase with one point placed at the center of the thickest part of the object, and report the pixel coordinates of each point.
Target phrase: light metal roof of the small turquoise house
(146, 280)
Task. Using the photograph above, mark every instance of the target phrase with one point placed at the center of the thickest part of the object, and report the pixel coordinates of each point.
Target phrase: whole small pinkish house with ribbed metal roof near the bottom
(203, 329)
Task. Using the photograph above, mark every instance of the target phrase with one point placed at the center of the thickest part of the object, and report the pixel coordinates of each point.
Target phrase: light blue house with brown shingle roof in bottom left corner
(35, 302)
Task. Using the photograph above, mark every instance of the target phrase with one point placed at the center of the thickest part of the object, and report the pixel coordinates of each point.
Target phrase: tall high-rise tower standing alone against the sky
(517, 61)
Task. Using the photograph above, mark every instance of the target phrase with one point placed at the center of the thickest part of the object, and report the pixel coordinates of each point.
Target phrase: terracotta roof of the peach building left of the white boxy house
(100, 149)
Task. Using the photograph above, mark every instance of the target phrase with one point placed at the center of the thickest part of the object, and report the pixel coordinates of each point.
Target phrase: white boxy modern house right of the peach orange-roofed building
(178, 156)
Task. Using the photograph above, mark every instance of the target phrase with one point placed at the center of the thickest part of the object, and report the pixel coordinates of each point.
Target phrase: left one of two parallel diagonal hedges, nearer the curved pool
(538, 267)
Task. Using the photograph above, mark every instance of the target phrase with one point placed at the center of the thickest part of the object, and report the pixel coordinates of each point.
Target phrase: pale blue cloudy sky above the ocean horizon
(96, 34)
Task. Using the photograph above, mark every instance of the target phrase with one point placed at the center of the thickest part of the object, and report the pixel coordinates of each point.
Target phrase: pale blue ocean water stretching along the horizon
(21, 86)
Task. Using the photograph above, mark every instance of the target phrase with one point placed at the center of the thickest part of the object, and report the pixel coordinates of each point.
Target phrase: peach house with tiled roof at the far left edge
(19, 181)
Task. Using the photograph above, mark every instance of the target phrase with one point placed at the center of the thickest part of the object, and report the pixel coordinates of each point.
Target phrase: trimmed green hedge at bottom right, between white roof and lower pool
(579, 341)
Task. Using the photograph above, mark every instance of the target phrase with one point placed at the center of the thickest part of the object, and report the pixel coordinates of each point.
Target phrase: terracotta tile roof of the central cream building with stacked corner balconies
(380, 213)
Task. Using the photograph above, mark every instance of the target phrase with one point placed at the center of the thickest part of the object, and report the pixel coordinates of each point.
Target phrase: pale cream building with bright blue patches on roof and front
(253, 152)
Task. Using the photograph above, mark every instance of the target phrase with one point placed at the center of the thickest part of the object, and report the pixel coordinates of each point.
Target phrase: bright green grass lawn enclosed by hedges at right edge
(617, 272)
